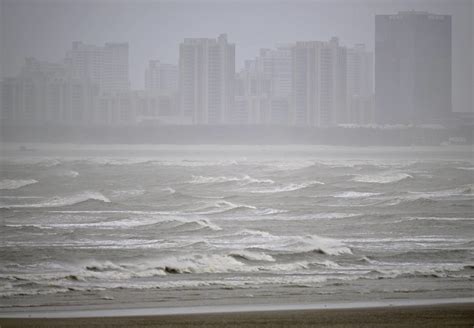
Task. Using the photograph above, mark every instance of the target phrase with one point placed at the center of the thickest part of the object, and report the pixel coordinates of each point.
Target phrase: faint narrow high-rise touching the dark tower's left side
(360, 86)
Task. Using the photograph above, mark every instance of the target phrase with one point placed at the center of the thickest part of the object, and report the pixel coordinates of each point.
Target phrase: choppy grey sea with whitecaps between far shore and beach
(176, 223)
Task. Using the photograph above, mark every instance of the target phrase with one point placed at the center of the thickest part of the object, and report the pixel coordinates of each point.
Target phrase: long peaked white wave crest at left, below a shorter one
(64, 201)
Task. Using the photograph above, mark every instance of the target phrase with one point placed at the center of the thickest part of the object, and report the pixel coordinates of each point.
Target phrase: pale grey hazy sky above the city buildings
(45, 29)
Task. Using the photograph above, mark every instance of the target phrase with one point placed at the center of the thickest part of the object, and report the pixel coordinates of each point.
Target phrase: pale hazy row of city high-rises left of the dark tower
(298, 84)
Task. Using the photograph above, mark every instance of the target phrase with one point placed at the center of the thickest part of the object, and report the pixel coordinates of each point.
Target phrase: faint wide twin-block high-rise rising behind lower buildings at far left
(106, 66)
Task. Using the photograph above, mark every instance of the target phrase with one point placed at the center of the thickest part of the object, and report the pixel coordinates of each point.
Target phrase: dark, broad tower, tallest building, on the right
(412, 67)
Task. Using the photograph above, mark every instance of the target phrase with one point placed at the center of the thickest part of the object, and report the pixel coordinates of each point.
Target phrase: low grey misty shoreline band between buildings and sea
(238, 135)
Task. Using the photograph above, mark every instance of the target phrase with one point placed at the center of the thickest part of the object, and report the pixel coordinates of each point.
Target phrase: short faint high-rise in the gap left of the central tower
(160, 77)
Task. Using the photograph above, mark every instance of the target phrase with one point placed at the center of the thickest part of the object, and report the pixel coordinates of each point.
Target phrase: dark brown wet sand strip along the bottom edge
(451, 315)
